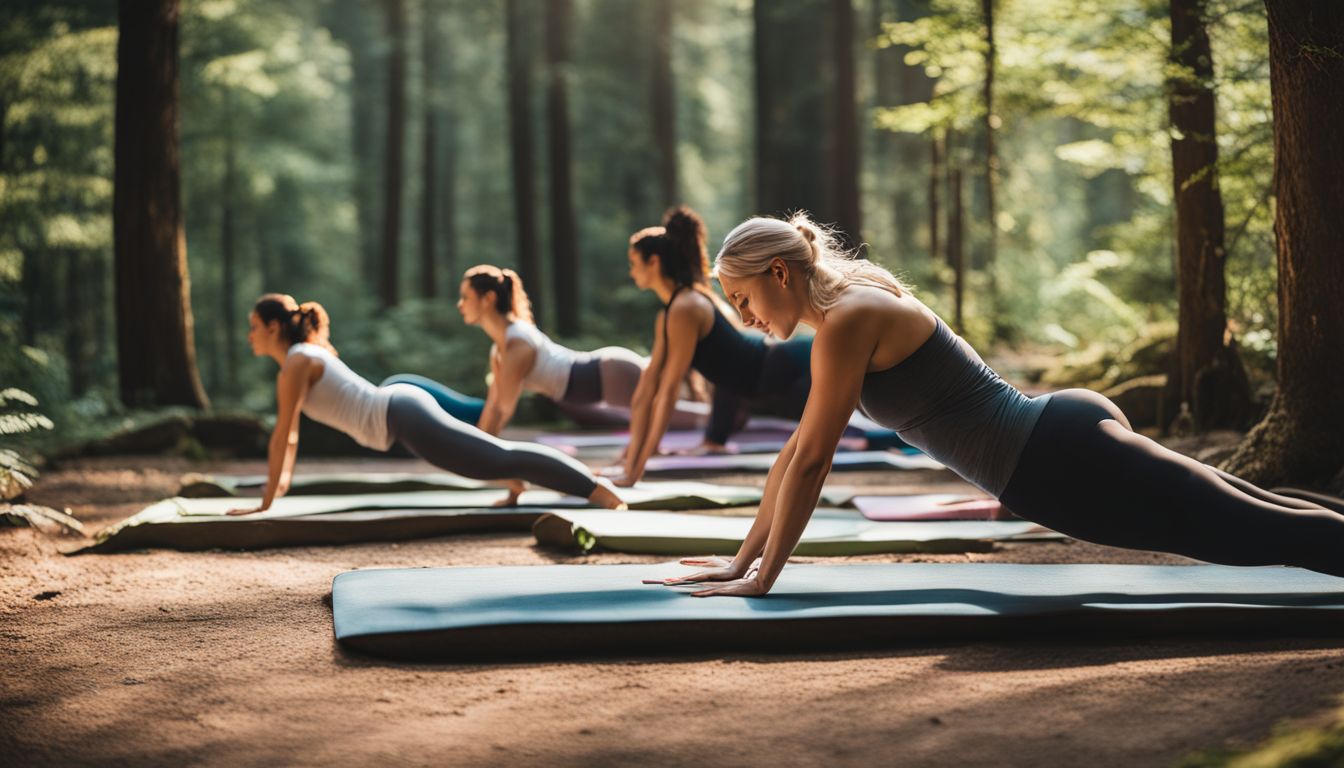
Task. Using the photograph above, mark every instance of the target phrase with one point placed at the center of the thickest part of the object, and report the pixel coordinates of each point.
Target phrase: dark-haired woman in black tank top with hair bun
(694, 332)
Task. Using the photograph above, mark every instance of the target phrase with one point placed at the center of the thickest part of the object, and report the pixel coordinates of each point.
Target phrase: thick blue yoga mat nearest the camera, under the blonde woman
(475, 614)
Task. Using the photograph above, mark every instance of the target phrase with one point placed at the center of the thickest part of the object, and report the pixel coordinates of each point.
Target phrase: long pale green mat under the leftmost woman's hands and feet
(205, 524)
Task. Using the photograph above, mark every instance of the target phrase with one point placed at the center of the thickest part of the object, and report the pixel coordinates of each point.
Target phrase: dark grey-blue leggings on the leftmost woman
(429, 432)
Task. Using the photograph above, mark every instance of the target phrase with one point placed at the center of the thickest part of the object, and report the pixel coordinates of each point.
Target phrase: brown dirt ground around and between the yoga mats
(225, 658)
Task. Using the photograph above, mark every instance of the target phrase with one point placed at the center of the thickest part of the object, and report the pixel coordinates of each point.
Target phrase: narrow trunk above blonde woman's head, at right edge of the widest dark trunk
(845, 126)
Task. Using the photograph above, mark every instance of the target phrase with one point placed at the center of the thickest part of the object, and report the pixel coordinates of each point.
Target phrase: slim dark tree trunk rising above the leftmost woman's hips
(394, 169)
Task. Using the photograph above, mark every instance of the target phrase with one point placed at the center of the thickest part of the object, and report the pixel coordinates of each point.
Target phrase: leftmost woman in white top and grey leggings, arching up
(315, 381)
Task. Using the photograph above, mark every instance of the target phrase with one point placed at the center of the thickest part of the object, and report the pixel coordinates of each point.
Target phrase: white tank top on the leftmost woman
(343, 400)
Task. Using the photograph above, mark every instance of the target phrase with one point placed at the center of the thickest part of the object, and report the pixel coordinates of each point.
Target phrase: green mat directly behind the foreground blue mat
(830, 533)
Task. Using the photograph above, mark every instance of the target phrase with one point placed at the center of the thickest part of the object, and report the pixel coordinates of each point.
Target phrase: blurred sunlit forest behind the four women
(1015, 161)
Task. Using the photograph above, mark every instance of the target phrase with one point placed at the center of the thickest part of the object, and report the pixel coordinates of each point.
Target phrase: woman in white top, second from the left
(523, 357)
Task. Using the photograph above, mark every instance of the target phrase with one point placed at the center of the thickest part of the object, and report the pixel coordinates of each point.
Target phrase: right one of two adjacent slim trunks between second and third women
(564, 240)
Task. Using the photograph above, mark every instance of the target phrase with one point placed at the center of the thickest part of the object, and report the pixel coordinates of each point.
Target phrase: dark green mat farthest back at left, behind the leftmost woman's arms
(325, 485)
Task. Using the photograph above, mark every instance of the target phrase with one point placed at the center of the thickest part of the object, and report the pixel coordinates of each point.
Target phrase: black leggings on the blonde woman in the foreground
(1084, 473)
